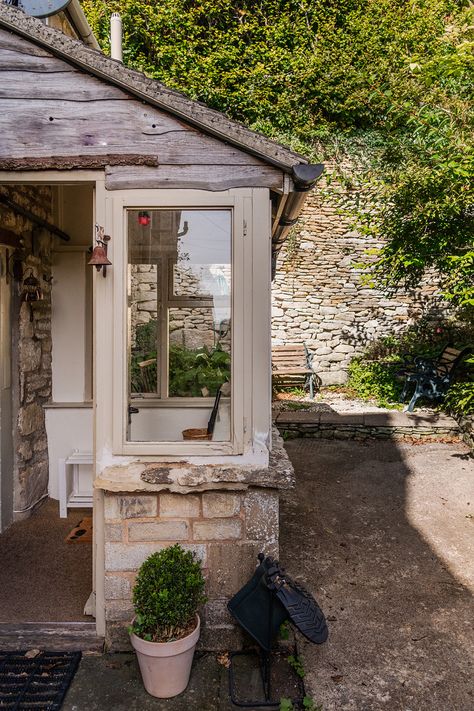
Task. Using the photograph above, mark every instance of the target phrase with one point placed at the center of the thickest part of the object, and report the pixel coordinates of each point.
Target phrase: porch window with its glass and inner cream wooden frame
(181, 317)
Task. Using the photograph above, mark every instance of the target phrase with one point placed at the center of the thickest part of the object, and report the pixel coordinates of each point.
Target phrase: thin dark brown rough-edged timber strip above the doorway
(88, 162)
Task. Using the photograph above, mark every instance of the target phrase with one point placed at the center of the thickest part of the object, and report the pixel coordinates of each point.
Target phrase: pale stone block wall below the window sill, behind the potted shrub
(225, 528)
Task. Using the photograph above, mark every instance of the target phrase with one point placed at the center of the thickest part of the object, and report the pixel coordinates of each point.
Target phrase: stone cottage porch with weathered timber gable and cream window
(106, 371)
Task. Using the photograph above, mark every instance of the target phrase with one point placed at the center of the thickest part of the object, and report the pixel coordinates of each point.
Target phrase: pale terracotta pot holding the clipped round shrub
(166, 666)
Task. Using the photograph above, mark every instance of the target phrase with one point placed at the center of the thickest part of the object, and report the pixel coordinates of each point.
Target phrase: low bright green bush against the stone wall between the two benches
(374, 381)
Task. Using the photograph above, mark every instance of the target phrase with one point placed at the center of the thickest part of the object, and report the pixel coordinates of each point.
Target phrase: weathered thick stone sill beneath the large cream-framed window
(185, 478)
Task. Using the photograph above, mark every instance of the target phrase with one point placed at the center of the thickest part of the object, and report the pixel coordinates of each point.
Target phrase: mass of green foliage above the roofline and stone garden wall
(385, 79)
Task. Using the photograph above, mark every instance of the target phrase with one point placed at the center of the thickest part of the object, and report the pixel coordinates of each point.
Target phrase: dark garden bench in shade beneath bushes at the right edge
(431, 377)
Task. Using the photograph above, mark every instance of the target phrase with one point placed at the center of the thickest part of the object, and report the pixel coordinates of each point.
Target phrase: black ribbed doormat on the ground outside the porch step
(36, 681)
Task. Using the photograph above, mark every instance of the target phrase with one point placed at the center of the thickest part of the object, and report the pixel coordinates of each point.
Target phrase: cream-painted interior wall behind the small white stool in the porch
(69, 415)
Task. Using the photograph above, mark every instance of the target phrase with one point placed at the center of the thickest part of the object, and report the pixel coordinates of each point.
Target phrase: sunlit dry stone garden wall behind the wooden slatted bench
(319, 296)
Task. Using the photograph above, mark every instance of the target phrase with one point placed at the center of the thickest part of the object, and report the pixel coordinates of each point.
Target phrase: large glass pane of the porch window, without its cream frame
(179, 307)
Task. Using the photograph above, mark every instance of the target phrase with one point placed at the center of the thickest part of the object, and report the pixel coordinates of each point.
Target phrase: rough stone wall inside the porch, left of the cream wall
(31, 344)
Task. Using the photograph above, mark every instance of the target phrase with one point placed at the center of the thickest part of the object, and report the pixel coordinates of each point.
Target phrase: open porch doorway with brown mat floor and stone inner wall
(46, 405)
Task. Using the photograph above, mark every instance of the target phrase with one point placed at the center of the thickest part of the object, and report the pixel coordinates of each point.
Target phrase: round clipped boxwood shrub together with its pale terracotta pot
(166, 626)
